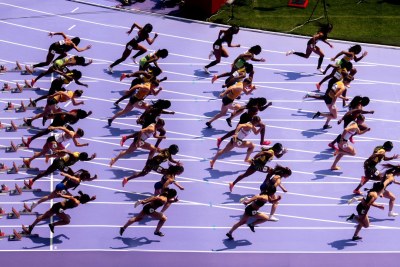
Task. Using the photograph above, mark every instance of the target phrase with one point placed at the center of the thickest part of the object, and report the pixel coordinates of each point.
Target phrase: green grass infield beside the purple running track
(371, 21)
